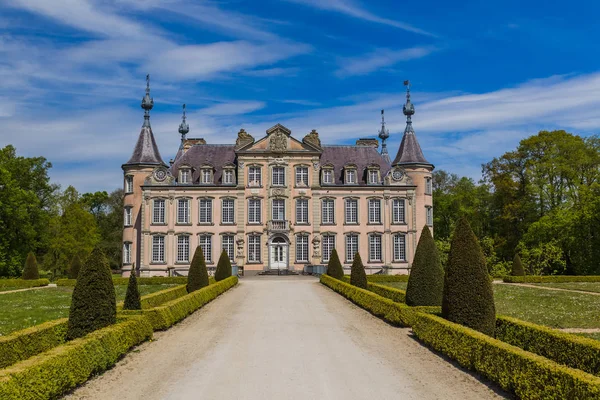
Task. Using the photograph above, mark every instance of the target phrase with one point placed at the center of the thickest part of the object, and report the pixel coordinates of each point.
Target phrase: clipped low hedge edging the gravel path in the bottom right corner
(528, 375)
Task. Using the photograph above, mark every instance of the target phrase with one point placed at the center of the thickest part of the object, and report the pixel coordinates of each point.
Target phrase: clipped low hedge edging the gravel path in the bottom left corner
(55, 372)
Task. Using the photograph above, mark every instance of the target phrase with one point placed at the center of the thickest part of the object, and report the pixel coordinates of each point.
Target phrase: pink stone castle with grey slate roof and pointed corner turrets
(276, 202)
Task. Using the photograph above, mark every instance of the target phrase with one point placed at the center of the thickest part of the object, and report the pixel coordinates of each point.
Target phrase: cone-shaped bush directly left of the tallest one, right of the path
(426, 280)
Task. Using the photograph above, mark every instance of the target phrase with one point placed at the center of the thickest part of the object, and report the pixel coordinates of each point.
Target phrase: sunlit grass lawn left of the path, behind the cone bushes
(24, 309)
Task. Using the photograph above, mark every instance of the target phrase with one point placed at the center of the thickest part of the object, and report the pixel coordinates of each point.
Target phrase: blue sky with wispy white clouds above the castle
(484, 75)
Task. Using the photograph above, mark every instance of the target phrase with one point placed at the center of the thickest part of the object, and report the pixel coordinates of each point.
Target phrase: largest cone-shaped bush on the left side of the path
(93, 305)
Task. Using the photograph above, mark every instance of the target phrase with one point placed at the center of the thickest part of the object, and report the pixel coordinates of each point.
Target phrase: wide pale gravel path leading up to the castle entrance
(283, 338)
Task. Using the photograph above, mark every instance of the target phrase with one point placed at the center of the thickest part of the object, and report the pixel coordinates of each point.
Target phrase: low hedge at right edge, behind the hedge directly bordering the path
(564, 348)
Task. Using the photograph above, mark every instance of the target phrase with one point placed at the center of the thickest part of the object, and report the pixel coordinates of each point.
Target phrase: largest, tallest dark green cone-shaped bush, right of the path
(468, 297)
